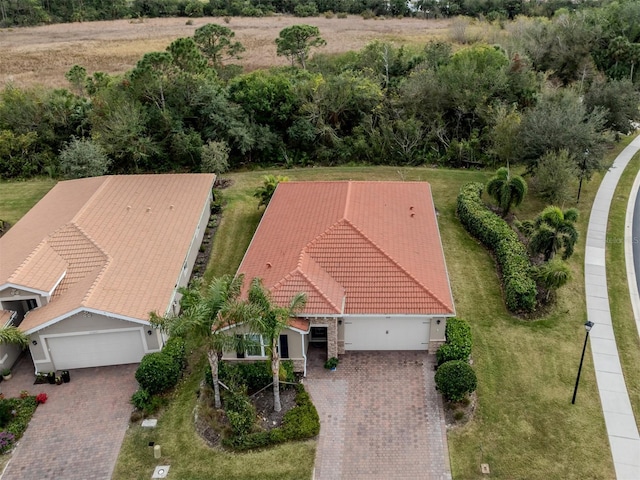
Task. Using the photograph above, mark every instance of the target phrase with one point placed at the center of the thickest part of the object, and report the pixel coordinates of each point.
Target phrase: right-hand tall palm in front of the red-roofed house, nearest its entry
(269, 320)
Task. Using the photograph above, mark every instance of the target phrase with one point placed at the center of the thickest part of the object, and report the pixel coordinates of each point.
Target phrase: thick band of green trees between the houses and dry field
(189, 109)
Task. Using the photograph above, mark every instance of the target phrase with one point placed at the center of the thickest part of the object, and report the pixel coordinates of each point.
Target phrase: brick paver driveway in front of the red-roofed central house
(381, 418)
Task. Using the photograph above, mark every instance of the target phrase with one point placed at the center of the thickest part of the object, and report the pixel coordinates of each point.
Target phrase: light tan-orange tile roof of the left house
(122, 241)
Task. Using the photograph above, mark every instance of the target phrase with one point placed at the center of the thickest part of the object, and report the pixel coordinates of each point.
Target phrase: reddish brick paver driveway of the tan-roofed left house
(77, 434)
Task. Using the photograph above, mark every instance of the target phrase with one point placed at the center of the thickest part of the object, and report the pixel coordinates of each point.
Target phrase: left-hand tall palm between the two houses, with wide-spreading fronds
(204, 316)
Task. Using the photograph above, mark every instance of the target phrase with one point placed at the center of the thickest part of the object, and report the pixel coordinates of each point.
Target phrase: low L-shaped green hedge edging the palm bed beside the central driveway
(299, 423)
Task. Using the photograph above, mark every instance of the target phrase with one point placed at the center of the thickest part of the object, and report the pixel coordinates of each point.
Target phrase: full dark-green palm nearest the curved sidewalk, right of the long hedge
(552, 231)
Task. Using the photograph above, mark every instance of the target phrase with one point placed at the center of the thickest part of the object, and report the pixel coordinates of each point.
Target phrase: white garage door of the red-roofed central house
(382, 333)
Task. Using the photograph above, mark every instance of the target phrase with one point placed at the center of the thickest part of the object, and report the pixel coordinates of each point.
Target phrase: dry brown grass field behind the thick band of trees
(42, 55)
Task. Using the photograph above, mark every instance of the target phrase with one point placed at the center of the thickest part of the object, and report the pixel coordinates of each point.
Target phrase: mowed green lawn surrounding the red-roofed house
(524, 424)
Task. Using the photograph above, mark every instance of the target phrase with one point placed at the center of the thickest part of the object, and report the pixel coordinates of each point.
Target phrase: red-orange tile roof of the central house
(354, 247)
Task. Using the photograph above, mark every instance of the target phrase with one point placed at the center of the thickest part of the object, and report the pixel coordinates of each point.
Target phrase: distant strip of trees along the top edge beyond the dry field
(35, 12)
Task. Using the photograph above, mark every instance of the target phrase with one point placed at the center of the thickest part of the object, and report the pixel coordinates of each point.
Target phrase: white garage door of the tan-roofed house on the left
(96, 349)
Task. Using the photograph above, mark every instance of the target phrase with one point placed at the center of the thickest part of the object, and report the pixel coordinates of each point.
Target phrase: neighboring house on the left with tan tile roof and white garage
(84, 267)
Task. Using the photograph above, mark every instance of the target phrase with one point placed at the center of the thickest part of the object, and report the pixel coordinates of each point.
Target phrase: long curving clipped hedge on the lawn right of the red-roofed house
(519, 286)
